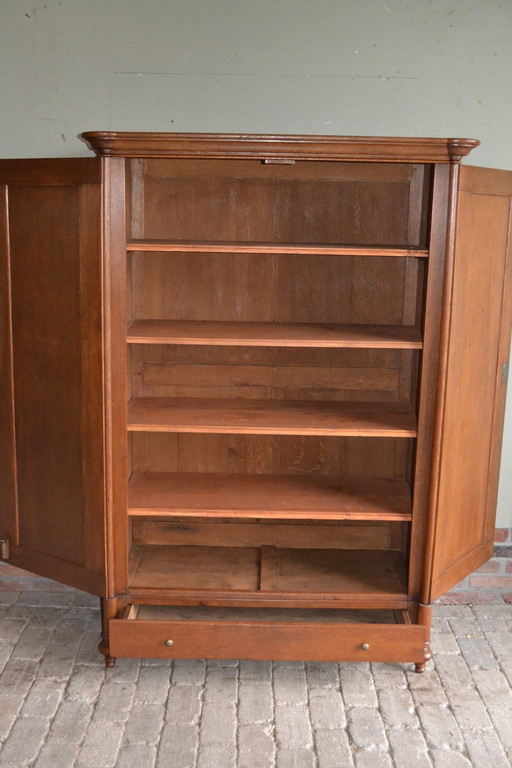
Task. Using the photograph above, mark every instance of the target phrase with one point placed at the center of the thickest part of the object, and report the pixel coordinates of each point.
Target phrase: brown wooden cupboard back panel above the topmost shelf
(253, 201)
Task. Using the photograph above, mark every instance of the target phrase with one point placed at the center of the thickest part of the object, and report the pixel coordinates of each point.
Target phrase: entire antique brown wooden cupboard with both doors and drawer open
(253, 386)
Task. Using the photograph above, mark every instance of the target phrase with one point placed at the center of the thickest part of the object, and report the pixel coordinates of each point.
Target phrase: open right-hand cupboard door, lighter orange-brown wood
(470, 431)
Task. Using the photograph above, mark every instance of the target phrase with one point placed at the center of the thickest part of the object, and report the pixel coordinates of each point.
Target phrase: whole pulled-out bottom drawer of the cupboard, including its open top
(286, 635)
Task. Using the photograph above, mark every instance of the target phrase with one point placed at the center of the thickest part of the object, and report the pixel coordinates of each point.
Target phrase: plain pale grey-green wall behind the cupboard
(400, 67)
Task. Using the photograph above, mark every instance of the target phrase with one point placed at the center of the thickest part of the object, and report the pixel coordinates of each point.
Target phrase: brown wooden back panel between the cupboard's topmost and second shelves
(273, 288)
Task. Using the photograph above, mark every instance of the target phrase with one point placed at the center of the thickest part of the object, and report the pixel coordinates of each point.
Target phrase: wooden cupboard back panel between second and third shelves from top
(269, 373)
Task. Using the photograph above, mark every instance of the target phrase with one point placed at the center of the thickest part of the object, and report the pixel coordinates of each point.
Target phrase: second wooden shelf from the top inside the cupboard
(273, 334)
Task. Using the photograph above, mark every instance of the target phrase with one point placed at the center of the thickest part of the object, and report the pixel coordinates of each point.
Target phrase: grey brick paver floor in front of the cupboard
(60, 707)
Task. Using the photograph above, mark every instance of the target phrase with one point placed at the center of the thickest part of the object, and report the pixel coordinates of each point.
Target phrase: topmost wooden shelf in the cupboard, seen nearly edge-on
(317, 249)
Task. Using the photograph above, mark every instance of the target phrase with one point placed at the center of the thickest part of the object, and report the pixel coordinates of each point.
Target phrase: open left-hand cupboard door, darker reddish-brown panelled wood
(52, 496)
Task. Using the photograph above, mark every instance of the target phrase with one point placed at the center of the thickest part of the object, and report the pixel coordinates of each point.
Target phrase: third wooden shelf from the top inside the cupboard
(271, 417)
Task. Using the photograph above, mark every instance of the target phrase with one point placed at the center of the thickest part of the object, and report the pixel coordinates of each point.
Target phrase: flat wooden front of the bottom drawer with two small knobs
(266, 640)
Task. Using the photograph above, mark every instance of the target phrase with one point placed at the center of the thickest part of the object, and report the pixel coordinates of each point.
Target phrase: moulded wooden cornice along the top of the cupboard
(275, 148)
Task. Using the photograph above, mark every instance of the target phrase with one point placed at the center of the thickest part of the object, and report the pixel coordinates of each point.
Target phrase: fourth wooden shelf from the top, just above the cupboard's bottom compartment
(268, 496)
